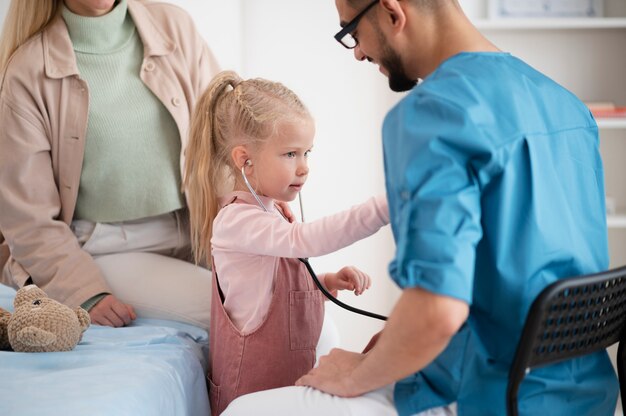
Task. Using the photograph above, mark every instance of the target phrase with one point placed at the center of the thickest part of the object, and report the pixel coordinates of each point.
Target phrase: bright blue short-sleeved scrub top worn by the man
(496, 190)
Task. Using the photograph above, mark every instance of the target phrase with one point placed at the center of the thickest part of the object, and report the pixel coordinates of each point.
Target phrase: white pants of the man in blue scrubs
(306, 401)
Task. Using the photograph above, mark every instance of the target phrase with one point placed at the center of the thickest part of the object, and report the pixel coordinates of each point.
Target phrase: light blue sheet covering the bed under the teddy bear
(153, 367)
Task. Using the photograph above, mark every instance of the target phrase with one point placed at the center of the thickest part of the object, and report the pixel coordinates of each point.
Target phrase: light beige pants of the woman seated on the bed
(138, 259)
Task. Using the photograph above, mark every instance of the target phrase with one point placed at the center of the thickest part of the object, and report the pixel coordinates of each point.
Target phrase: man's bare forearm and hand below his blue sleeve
(419, 328)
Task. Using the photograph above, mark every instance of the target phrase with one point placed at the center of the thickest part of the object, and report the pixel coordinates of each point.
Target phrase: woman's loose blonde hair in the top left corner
(24, 19)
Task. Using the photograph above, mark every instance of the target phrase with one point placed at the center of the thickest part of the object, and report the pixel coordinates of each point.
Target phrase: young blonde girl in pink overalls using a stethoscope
(266, 314)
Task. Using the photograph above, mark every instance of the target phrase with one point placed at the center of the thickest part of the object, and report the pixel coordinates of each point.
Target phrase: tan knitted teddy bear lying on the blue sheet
(41, 324)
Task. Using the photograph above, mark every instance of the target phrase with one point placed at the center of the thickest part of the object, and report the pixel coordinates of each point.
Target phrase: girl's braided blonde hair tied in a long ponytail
(231, 112)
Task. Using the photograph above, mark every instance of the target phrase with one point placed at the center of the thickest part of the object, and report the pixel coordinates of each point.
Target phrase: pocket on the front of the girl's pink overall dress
(306, 316)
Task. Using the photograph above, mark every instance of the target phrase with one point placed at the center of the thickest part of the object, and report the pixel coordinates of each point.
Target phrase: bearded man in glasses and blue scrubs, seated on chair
(495, 187)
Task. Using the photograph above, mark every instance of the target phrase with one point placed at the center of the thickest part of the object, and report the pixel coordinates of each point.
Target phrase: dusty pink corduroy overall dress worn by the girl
(278, 352)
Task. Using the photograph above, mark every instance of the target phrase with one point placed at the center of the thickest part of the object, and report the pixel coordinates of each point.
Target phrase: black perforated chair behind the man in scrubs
(570, 318)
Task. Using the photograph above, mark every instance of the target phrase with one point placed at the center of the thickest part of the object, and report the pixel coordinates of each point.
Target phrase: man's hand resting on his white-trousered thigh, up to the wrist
(333, 375)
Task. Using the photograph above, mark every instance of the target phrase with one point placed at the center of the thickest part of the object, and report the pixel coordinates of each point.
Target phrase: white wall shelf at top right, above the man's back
(551, 23)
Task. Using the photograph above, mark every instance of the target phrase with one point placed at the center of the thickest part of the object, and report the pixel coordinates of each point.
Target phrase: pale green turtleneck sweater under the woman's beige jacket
(131, 167)
